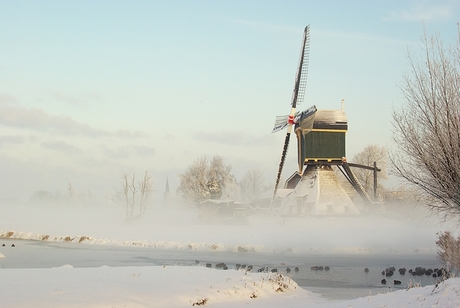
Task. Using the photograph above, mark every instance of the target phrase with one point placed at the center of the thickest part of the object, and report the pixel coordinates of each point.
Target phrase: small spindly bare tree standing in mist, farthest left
(134, 196)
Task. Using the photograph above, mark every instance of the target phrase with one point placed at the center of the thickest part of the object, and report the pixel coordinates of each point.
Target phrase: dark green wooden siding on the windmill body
(323, 145)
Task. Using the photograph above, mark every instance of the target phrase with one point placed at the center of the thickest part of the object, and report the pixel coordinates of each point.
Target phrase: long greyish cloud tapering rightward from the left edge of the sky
(39, 120)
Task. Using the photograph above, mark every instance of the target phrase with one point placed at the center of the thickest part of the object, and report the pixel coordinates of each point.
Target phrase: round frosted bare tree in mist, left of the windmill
(205, 179)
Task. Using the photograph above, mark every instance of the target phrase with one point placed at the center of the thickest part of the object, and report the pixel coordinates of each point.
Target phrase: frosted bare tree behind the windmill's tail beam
(370, 154)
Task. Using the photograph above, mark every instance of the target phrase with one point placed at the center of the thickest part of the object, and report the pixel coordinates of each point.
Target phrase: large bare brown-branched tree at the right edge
(426, 128)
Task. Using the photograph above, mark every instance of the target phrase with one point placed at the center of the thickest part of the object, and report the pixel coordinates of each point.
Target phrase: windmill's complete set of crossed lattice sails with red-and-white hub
(303, 118)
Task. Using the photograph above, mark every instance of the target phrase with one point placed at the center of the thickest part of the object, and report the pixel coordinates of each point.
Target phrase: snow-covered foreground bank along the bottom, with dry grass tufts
(178, 286)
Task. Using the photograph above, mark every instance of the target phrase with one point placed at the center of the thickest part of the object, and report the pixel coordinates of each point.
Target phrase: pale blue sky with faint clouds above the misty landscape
(90, 90)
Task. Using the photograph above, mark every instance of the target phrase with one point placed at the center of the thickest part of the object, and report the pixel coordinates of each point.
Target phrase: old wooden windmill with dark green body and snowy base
(320, 145)
